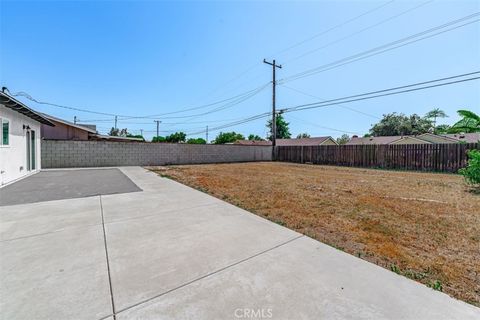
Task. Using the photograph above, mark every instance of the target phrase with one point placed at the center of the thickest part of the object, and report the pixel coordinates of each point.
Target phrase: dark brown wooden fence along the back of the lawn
(423, 157)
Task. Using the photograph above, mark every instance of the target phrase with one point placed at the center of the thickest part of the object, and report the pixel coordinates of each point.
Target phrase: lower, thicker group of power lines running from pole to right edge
(380, 93)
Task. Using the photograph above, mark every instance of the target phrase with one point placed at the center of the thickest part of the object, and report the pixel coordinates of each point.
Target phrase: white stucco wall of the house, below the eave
(13, 159)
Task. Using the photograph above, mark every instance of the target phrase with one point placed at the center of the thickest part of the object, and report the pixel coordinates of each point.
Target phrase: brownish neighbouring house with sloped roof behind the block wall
(66, 130)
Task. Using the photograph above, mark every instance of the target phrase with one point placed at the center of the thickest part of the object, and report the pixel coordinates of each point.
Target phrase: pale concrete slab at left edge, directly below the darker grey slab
(44, 217)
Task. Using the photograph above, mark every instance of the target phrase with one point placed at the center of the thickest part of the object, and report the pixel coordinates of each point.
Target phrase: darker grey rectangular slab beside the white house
(66, 184)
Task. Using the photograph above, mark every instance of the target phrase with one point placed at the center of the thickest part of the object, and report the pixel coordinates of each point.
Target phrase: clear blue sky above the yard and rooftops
(147, 59)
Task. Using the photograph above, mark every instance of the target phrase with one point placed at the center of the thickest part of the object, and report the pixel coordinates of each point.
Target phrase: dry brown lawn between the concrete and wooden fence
(425, 226)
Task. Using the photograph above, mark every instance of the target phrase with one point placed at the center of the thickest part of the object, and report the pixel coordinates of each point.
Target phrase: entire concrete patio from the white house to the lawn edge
(164, 250)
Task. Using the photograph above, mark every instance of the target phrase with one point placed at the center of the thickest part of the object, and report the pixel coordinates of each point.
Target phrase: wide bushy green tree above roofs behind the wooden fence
(394, 124)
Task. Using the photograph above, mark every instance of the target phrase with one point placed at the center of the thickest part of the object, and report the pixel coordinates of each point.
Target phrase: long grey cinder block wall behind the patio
(70, 154)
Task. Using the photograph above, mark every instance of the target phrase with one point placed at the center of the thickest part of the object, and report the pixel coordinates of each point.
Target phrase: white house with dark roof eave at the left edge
(19, 139)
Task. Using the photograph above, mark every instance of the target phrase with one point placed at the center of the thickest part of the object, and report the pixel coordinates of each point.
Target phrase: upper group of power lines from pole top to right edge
(383, 48)
